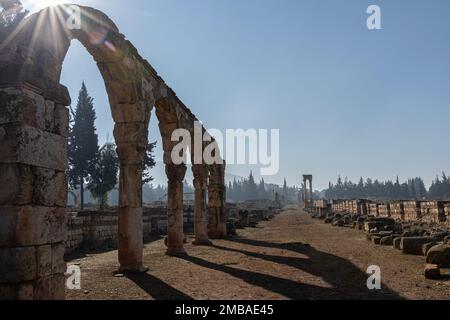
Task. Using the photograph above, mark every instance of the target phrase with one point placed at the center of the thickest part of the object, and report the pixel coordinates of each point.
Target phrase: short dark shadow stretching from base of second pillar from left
(157, 288)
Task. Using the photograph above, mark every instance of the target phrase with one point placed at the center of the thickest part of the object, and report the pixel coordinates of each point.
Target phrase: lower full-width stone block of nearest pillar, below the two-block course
(29, 226)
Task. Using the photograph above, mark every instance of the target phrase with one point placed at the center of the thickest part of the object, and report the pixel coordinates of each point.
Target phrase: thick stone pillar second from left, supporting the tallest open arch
(130, 203)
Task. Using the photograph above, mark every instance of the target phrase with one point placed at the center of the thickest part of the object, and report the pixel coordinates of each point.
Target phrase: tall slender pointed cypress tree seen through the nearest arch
(82, 146)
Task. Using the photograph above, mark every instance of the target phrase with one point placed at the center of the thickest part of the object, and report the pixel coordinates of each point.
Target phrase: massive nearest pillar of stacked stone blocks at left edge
(33, 192)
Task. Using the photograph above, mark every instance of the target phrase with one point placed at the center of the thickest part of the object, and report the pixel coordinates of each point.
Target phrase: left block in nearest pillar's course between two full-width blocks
(16, 187)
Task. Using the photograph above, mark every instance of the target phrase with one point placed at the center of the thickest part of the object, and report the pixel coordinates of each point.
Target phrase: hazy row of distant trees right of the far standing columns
(413, 188)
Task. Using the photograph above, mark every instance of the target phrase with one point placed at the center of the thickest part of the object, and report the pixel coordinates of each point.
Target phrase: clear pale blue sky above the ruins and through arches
(347, 100)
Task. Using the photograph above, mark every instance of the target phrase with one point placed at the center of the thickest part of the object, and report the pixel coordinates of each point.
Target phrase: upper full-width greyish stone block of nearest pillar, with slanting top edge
(28, 145)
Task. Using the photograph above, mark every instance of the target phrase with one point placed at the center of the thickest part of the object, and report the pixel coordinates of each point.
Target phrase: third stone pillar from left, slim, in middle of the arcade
(175, 234)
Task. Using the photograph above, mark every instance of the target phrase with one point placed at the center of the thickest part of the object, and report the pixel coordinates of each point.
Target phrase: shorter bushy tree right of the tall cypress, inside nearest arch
(103, 177)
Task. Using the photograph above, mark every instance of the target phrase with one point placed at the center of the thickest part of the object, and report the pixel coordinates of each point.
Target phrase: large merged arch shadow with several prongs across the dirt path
(347, 280)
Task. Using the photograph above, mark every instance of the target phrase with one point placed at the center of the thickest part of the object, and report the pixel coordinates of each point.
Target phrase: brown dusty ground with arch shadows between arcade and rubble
(269, 262)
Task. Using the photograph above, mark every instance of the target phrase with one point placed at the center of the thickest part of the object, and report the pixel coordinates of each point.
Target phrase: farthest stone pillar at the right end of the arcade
(217, 226)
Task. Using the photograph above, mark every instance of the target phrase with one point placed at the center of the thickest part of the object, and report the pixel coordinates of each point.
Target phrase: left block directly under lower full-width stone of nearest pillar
(17, 264)
